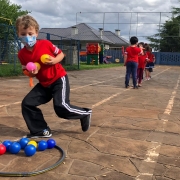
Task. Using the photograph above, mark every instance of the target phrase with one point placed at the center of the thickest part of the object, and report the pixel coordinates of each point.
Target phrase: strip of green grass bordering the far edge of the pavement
(10, 70)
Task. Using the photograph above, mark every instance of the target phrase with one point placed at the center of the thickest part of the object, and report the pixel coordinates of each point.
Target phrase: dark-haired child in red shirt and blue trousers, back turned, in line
(131, 61)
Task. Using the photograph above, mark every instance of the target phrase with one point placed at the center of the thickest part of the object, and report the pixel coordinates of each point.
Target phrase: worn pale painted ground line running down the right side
(148, 165)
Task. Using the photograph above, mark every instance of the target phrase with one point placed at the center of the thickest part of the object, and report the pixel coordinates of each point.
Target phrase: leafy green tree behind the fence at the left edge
(8, 15)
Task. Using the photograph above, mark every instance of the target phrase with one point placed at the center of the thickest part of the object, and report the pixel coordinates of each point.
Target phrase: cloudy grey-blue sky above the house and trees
(132, 18)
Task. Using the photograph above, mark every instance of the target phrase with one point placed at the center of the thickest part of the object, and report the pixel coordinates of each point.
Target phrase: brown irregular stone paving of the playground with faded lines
(134, 133)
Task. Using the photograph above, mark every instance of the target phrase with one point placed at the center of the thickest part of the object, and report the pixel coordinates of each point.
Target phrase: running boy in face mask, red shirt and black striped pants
(53, 81)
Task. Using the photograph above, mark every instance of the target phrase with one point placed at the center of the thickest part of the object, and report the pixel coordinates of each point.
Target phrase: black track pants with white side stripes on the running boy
(58, 91)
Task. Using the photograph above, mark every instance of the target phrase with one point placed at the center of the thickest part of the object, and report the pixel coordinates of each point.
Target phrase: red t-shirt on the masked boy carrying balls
(47, 73)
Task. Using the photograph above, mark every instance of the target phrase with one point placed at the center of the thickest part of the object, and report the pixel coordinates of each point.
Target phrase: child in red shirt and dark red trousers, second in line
(141, 64)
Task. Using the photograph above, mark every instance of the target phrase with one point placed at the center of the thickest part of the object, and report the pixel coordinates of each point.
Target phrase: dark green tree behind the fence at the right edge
(168, 37)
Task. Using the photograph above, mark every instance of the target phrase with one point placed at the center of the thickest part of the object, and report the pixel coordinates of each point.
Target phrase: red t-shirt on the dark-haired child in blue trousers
(132, 53)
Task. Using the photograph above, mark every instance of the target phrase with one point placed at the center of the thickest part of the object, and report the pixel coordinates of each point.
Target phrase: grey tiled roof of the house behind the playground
(85, 33)
